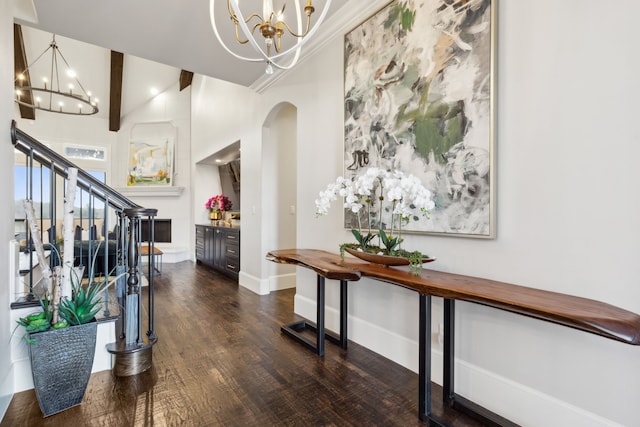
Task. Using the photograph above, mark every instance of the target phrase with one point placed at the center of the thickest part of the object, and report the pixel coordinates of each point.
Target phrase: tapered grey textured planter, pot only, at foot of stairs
(61, 362)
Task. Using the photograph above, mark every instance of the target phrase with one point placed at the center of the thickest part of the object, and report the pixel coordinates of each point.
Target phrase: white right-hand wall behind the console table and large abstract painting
(566, 213)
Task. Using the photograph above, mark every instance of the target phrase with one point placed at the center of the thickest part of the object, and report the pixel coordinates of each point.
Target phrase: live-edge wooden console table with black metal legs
(576, 312)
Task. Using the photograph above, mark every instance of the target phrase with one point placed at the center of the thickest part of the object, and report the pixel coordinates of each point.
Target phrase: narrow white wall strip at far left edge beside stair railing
(6, 209)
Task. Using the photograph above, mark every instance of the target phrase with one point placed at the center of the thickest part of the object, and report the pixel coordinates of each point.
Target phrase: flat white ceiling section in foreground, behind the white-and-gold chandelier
(177, 33)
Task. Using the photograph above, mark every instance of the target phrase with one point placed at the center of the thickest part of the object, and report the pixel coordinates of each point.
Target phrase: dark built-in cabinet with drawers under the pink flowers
(219, 248)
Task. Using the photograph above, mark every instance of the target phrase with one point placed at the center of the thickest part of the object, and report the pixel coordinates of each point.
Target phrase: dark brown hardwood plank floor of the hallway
(221, 360)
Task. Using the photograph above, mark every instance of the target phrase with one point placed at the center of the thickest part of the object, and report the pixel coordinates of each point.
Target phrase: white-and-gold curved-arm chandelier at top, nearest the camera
(273, 27)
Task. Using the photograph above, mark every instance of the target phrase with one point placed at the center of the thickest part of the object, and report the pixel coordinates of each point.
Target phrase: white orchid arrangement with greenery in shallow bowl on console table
(405, 195)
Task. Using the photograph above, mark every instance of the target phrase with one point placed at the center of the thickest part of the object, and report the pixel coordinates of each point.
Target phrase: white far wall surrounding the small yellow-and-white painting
(168, 111)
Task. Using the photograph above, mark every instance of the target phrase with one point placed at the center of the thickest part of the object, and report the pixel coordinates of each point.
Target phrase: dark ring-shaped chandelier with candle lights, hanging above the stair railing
(53, 96)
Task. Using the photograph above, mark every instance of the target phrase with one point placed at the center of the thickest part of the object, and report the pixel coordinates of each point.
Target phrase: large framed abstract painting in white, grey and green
(419, 98)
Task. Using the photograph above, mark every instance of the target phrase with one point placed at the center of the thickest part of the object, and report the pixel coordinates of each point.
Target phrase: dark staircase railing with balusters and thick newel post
(108, 225)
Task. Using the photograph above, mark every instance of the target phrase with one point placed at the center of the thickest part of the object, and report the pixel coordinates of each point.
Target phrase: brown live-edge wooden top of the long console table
(580, 313)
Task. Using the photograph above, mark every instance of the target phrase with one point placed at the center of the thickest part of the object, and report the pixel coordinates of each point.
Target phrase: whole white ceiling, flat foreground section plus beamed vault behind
(159, 42)
